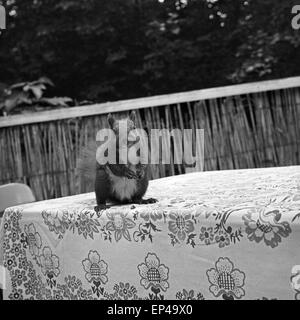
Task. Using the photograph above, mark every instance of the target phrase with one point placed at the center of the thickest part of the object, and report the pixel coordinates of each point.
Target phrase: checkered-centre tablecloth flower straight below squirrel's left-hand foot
(95, 268)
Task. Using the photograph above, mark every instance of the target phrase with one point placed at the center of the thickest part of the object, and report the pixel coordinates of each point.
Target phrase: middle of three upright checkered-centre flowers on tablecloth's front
(153, 274)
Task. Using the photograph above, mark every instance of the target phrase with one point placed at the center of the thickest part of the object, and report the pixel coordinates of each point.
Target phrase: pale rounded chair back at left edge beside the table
(13, 194)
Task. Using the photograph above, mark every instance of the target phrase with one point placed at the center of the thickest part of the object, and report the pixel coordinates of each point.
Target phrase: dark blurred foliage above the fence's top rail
(104, 50)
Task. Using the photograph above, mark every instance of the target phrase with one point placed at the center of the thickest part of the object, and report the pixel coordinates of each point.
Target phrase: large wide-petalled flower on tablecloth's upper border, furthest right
(263, 224)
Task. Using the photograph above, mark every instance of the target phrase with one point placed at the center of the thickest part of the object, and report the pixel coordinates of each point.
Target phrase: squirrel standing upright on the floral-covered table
(120, 183)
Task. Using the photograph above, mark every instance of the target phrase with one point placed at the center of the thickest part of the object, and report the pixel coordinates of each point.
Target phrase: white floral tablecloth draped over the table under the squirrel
(212, 235)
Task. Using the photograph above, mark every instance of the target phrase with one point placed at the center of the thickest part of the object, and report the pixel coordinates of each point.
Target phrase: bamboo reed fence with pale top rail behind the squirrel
(245, 126)
